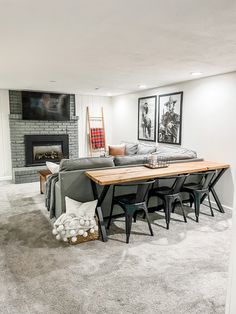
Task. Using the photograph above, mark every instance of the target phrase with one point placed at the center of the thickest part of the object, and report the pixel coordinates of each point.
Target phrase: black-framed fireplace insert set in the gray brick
(42, 148)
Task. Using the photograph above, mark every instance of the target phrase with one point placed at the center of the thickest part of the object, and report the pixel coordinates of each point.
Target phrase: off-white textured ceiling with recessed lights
(114, 45)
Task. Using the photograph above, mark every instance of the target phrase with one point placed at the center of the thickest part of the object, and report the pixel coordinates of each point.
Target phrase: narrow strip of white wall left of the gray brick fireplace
(5, 159)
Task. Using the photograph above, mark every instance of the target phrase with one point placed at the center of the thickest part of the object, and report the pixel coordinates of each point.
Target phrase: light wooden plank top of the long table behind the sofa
(137, 173)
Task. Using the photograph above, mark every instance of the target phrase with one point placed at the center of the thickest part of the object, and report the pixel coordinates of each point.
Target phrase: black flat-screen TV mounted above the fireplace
(45, 106)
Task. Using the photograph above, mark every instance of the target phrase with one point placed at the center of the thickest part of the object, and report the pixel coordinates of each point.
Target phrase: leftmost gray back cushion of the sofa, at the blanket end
(86, 163)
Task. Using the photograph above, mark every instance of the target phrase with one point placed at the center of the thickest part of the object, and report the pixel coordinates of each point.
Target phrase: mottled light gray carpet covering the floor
(183, 270)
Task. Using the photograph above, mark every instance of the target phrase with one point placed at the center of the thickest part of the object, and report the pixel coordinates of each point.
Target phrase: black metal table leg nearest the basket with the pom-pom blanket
(99, 209)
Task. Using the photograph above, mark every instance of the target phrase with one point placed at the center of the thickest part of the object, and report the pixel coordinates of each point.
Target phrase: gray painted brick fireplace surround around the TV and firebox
(19, 128)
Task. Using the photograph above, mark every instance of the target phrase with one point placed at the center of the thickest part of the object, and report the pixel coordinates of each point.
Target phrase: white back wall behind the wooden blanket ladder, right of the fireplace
(95, 103)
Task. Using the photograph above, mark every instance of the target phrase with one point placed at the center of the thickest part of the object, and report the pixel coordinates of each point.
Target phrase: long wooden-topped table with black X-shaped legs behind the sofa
(118, 175)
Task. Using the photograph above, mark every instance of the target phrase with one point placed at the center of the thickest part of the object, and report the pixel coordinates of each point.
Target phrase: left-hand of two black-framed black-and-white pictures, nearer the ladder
(147, 118)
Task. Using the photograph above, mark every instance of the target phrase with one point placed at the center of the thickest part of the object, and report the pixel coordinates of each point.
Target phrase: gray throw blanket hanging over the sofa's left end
(50, 194)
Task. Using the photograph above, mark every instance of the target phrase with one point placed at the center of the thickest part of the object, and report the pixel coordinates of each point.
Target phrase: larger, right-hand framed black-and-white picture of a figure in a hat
(170, 118)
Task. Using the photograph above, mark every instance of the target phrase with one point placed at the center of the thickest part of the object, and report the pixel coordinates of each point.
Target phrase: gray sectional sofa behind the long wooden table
(73, 182)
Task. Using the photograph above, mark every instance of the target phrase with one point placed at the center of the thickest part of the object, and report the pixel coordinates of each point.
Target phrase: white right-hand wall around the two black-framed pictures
(209, 127)
